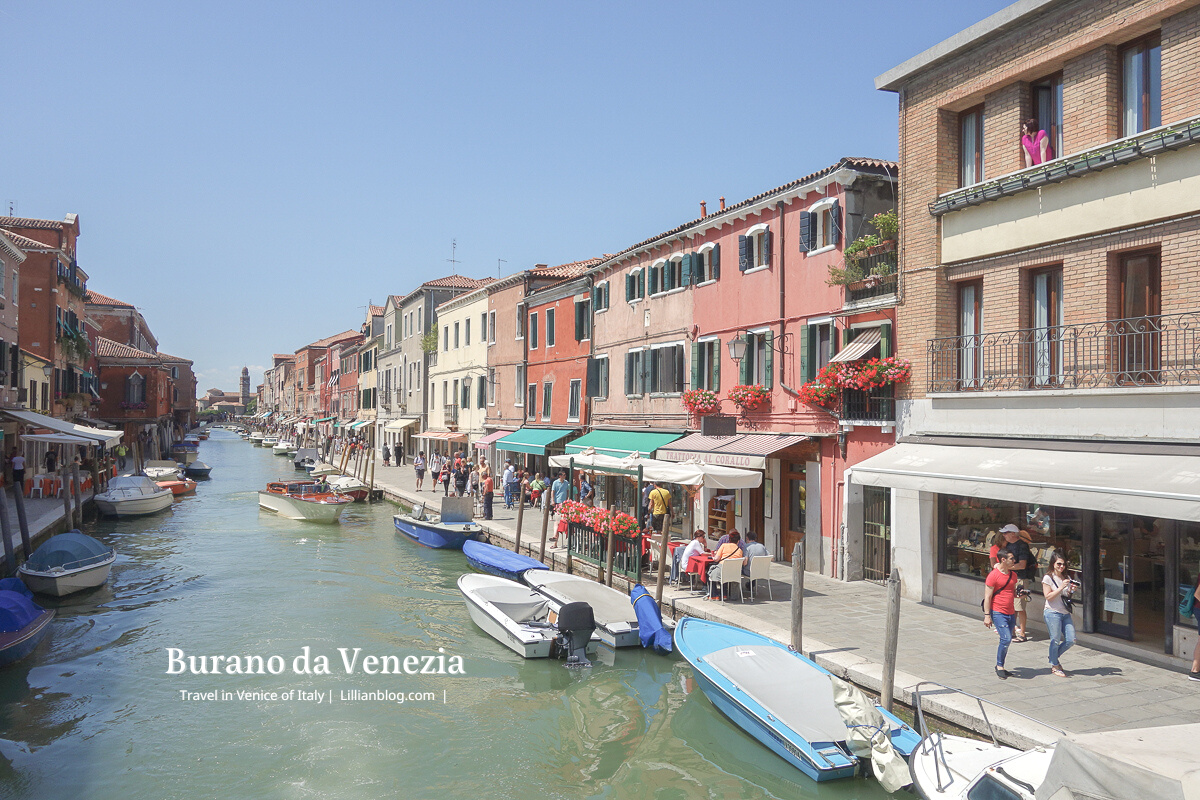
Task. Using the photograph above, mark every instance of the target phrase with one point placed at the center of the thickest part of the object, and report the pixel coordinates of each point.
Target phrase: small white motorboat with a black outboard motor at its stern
(521, 619)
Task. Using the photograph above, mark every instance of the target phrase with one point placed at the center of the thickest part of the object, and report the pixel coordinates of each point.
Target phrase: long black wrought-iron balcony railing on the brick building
(1141, 352)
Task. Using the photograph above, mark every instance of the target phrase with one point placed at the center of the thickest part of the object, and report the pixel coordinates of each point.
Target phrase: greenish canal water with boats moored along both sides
(94, 714)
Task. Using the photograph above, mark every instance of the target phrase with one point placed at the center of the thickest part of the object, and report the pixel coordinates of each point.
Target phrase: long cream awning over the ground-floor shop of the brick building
(1154, 486)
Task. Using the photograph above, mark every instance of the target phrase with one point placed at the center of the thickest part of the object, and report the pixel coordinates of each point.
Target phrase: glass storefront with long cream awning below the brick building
(1129, 525)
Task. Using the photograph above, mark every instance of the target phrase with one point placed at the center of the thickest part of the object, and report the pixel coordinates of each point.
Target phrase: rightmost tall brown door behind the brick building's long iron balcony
(1139, 329)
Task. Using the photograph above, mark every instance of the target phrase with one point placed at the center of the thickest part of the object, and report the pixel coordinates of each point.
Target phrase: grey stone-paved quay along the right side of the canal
(844, 631)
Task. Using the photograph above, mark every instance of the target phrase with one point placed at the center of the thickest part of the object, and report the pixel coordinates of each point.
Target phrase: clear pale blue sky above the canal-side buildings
(253, 175)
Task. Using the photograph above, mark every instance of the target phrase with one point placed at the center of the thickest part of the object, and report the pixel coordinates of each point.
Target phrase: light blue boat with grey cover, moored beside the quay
(806, 715)
